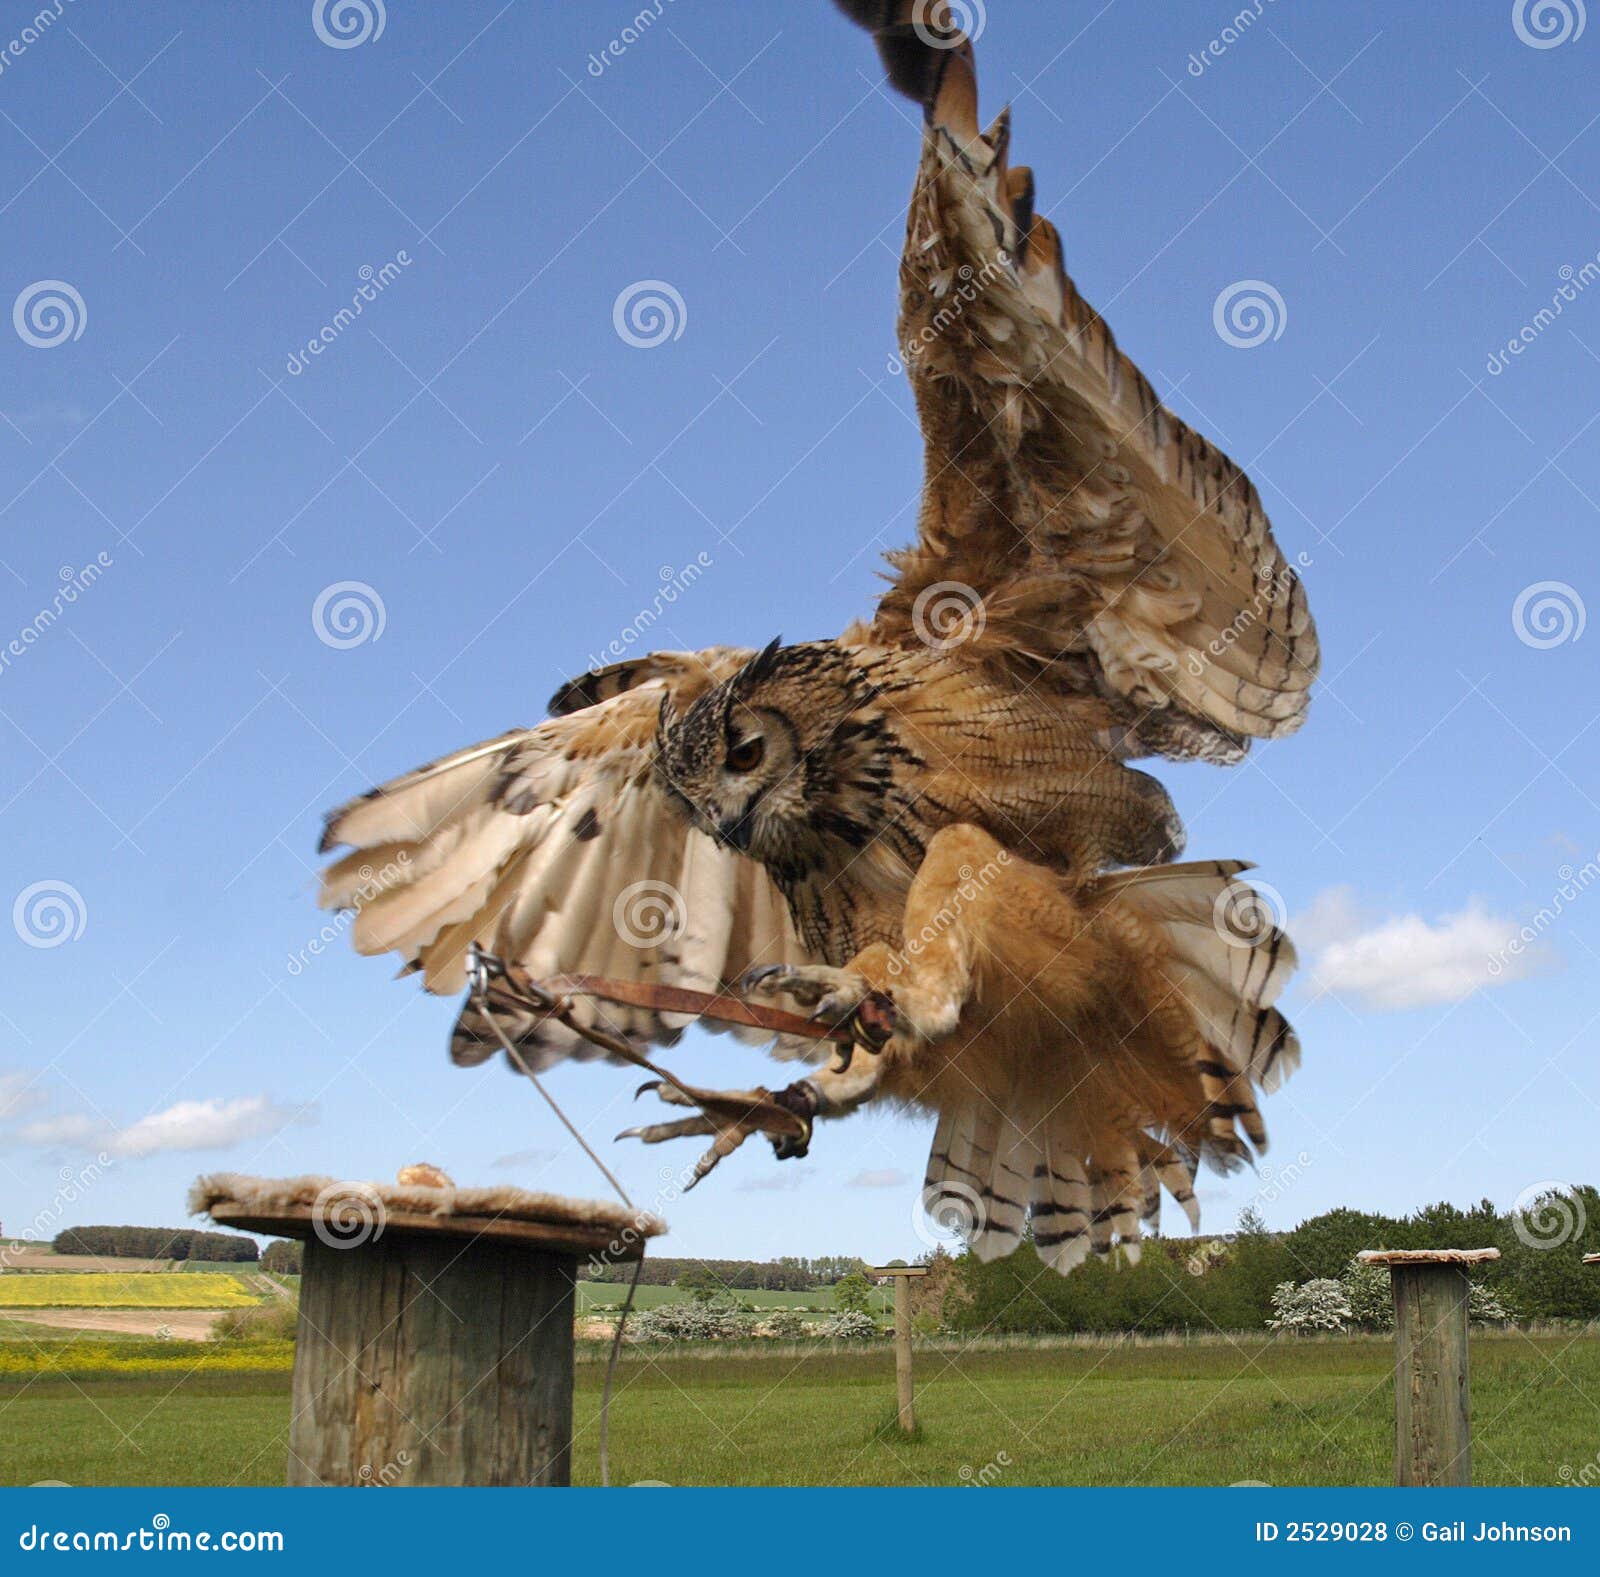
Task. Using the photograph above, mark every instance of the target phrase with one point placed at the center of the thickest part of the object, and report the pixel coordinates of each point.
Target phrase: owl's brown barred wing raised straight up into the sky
(1110, 548)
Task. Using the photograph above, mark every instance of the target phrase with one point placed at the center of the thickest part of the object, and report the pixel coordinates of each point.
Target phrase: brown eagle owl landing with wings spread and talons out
(927, 828)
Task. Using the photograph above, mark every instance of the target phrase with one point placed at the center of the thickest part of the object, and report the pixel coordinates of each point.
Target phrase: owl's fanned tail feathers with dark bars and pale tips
(1087, 1172)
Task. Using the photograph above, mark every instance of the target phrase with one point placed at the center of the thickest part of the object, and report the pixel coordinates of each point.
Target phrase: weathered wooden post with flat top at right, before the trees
(1433, 1395)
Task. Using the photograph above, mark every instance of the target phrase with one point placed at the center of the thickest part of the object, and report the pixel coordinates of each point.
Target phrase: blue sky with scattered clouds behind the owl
(511, 481)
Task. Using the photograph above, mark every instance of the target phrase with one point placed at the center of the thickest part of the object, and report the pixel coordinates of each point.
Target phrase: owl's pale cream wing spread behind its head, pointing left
(556, 848)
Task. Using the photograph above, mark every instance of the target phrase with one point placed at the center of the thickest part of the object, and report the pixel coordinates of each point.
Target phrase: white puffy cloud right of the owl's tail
(1407, 960)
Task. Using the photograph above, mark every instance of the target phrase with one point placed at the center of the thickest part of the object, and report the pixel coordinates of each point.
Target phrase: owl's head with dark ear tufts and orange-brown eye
(782, 757)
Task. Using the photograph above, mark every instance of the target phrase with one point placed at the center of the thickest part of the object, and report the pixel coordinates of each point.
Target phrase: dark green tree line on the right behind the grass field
(1230, 1284)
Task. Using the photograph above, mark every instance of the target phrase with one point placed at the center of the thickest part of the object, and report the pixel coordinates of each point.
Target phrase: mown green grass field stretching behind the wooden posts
(1274, 1411)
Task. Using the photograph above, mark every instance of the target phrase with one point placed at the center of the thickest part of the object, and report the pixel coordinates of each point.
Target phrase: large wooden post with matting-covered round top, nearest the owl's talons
(436, 1325)
